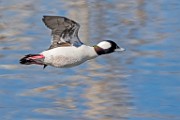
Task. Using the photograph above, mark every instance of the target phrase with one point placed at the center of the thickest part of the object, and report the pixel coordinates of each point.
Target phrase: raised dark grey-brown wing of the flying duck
(64, 31)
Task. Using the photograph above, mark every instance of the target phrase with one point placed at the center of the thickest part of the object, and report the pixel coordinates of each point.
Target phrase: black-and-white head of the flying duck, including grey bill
(106, 47)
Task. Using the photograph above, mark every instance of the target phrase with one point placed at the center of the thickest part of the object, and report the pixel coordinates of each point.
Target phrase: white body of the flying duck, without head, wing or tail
(68, 56)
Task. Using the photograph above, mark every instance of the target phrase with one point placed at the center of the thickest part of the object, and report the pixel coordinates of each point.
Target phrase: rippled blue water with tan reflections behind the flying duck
(140, 84)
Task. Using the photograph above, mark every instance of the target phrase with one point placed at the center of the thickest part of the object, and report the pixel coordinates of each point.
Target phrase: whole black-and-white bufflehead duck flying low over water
(66, 49)
